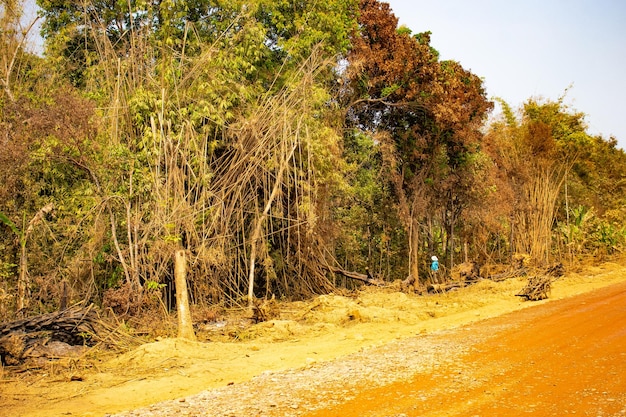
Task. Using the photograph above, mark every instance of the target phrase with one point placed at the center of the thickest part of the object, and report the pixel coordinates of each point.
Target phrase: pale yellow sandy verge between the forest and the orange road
(304, 336)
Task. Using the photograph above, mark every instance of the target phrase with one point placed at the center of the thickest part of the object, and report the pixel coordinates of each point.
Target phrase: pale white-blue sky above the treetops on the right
(541, 49)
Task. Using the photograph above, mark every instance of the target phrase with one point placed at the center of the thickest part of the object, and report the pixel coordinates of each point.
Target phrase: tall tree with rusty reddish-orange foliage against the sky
(424, 112)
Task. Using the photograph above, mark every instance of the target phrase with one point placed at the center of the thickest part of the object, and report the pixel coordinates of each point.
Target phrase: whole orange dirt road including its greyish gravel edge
(552, 359)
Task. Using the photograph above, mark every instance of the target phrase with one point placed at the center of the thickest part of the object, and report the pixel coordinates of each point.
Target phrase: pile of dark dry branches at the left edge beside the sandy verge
(54, 334)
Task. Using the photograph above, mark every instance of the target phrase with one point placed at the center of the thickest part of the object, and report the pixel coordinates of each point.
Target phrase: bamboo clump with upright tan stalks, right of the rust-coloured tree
(536, 155)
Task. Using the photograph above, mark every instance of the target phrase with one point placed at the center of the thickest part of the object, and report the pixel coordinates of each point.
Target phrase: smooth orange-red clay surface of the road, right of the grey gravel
(555, 359)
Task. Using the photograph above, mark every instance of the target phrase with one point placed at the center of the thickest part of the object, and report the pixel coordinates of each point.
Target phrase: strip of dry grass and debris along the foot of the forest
(145, 344)
